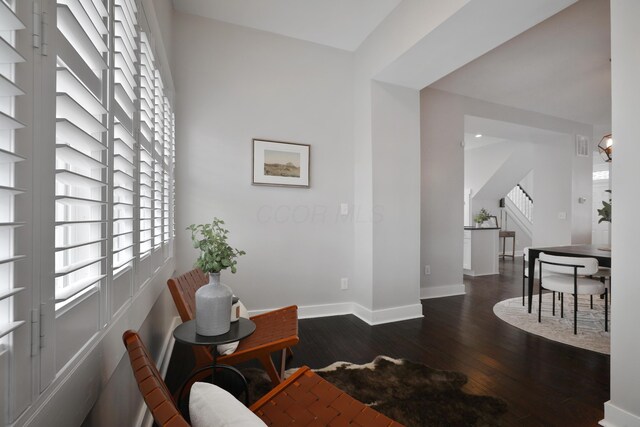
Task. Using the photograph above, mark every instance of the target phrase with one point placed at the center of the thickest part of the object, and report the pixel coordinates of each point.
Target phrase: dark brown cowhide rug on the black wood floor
(410, 393)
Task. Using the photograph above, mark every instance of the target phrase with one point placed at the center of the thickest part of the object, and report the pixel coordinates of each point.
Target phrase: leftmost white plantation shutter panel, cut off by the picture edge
(15, 173)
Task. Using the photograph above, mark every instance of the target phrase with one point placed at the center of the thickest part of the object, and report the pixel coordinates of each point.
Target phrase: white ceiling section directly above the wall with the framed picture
(343, 24)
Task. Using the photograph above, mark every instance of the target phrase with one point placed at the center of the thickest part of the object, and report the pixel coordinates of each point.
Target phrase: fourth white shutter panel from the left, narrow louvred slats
(146, 138)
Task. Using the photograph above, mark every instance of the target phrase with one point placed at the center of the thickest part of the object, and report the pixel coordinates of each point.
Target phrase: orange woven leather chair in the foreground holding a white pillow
(303, 399)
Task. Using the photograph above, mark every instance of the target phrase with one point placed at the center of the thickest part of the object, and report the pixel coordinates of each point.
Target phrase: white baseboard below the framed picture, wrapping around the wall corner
(372, 317)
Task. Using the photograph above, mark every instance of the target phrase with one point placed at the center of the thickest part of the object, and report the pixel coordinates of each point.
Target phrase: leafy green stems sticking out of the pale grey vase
(215, 253)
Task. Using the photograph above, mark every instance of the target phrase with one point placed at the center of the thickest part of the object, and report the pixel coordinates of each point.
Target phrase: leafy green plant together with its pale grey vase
(213, 300)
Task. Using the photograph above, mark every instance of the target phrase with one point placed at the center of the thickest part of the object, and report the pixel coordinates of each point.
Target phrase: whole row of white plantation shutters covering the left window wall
(86, 185)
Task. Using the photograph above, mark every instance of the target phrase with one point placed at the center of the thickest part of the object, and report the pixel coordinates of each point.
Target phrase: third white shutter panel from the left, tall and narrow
(124, 170)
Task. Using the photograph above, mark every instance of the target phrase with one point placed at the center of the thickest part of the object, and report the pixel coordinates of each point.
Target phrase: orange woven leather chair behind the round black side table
(276, 330)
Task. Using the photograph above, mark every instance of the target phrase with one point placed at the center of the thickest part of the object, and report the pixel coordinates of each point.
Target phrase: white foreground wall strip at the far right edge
(624, 407)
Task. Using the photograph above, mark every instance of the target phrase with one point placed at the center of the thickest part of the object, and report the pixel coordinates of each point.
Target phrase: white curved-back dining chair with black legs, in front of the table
(569, 275)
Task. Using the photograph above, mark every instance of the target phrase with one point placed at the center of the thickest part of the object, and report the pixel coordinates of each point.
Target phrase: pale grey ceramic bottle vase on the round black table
(213, 307)
